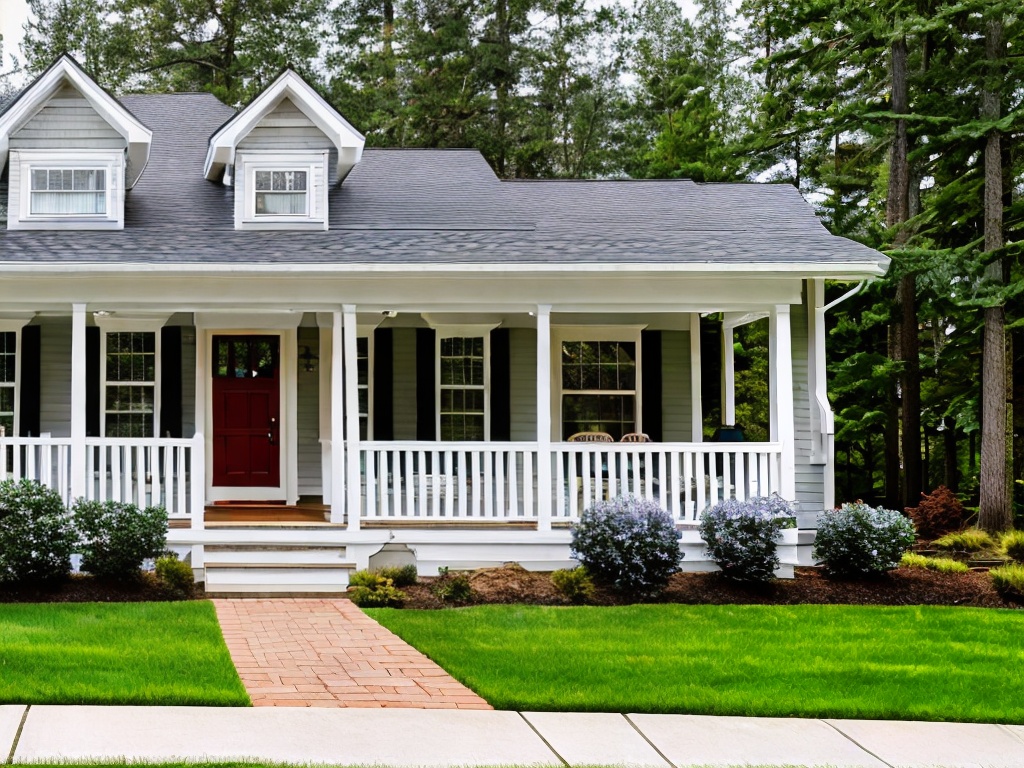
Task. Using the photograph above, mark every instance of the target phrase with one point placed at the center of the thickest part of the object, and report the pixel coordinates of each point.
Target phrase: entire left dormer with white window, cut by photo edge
(73, 151)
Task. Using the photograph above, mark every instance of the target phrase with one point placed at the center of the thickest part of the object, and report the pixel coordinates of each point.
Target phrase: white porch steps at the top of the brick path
(281, 571)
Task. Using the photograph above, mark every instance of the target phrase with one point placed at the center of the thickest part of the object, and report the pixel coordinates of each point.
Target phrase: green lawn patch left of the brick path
(117, 654)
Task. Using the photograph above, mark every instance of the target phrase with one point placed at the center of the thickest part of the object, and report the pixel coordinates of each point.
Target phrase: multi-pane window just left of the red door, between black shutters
(131, 385)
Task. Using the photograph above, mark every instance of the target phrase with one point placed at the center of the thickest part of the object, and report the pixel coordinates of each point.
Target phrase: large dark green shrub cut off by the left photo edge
(37, 534)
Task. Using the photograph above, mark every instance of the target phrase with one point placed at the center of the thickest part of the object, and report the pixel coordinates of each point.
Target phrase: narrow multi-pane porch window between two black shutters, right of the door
(463, 413)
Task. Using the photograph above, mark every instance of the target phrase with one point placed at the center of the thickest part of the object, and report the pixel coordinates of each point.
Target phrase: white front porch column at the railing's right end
(781, 394)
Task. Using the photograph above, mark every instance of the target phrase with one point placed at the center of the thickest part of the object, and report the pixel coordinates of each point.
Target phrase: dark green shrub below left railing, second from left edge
(117, 537)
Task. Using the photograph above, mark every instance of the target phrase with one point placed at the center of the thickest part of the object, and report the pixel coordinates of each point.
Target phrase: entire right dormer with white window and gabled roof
(282, 154)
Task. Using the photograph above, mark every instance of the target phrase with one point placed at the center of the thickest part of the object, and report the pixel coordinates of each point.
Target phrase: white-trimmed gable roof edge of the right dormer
(226, 141)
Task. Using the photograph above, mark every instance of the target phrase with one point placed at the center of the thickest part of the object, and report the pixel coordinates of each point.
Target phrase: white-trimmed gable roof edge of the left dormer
(66, 69)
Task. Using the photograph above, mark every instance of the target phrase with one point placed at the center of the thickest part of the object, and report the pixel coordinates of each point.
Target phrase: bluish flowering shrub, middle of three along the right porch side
(741, 537)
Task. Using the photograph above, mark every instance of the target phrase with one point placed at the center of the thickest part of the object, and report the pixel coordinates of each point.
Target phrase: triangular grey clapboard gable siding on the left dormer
(67, 121)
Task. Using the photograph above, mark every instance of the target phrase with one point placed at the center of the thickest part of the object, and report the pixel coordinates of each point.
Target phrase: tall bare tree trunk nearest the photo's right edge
(995, 508)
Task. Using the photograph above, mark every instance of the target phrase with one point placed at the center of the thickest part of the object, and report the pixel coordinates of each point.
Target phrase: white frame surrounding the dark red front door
(285, 326)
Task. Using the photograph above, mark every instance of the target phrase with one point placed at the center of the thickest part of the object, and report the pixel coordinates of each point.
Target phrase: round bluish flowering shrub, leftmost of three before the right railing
(630, 543)
